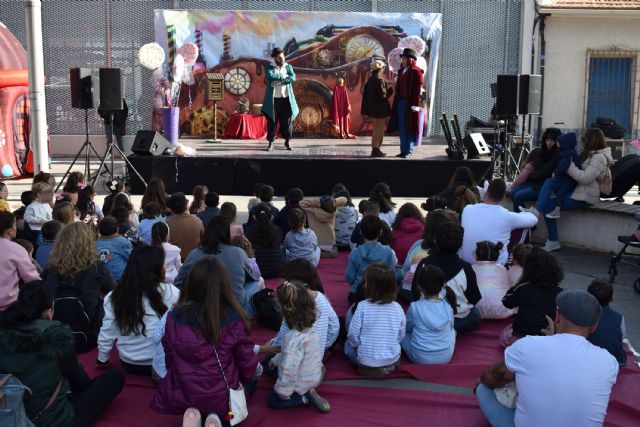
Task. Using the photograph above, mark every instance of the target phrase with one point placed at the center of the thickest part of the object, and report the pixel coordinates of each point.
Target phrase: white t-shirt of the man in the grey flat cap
(562, 380)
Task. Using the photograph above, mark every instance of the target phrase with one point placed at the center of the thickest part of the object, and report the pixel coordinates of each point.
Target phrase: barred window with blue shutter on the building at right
(610, 88)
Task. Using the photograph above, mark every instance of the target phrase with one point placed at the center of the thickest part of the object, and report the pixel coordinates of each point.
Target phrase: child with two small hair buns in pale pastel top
(493, 281)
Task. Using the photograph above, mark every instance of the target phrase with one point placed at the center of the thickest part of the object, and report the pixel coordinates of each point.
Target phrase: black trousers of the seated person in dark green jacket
(92, 401)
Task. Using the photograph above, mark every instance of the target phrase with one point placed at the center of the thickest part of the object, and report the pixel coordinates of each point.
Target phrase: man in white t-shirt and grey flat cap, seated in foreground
(562, 379)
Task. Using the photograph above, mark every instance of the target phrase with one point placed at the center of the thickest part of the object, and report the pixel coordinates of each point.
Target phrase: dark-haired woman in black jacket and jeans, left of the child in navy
(548, 159)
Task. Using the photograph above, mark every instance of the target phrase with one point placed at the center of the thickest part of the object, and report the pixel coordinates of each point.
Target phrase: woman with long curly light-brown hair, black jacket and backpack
(78, 281)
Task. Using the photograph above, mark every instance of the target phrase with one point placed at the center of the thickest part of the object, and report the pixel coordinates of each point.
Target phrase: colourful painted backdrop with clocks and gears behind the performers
(321, 47)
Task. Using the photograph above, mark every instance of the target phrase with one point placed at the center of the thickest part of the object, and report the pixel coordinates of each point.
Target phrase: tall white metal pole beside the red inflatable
(37, 101)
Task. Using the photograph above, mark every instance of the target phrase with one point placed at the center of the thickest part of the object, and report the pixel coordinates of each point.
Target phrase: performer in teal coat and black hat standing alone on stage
(279, 104)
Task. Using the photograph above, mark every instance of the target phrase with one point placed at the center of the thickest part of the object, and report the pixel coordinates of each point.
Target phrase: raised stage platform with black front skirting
(233, 167)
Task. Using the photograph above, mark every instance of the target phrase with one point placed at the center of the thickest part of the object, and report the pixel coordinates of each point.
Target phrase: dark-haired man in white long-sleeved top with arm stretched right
(491, 222)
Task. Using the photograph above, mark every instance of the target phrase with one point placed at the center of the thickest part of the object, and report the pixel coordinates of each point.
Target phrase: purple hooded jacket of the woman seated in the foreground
(193, 375)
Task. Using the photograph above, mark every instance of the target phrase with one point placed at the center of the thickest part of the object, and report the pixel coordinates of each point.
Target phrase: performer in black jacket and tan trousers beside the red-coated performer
(375, 104)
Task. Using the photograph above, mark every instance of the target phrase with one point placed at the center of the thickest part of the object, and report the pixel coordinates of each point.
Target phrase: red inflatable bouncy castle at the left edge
(14, 106)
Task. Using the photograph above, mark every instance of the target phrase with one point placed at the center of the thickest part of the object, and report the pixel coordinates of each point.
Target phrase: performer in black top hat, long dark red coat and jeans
(406, 102)
